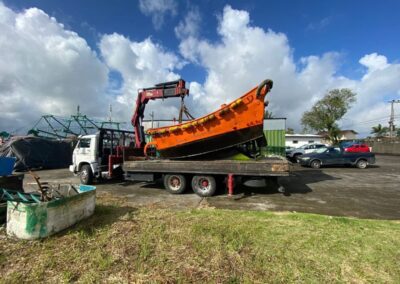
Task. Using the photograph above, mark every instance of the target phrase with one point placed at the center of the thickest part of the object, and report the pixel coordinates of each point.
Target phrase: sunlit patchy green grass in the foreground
(121, 244)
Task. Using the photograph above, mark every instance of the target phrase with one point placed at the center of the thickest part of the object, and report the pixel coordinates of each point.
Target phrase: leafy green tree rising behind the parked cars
(325, 113)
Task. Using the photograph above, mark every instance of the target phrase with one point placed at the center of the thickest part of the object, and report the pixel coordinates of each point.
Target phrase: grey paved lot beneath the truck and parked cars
(370, 193)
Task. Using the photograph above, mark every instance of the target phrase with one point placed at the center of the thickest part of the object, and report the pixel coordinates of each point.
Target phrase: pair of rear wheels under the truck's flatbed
(202, 185)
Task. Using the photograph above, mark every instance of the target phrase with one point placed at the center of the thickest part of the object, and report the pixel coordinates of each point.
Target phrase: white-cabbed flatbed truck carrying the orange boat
(109, 154)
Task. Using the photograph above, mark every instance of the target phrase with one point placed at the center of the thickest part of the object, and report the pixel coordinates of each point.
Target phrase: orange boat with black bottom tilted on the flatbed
(233, 124)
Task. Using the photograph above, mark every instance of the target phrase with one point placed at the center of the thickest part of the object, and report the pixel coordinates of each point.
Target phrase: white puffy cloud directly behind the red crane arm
(141, 64)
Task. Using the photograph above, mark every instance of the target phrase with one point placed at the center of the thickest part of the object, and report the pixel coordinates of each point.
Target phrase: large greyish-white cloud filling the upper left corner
(45, 68)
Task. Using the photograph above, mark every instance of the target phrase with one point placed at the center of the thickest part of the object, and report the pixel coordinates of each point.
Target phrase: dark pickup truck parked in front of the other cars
(336, 156)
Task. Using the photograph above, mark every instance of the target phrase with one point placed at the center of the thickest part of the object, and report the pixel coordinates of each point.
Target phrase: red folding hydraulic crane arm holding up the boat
(159, 91)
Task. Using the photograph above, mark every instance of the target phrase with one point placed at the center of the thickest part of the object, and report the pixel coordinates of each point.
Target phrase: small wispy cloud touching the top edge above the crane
(157, 9)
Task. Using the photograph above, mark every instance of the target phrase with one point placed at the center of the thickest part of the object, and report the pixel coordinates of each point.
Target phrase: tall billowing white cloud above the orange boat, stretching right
(244, 55)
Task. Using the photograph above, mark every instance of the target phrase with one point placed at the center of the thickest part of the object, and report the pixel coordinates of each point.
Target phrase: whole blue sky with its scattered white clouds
(309, 47)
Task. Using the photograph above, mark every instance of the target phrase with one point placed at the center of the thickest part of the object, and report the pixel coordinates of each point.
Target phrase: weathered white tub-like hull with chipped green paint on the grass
(38, 220)
